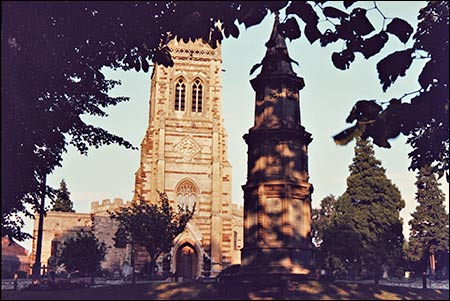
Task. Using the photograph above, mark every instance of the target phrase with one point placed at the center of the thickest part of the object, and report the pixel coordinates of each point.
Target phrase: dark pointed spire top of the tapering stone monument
(276, 60)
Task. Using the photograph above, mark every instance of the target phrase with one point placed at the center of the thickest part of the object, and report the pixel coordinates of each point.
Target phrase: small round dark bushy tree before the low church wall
(83, 254)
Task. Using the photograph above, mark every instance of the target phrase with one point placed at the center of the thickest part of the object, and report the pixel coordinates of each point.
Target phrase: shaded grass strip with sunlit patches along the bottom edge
(309, 290)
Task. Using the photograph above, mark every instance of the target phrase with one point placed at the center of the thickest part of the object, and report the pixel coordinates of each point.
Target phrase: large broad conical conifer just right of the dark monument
(365, 229)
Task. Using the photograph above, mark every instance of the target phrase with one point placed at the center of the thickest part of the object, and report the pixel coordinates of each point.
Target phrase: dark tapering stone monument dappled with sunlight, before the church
(277, 195)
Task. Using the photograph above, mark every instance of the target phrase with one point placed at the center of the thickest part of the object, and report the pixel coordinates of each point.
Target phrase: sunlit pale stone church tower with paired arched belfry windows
(184, 153)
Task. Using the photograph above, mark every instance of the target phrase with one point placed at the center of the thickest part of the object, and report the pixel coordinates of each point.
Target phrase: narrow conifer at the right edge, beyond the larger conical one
(429, 224)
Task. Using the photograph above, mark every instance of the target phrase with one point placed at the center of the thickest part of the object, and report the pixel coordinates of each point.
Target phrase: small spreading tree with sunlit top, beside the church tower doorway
(153, 226)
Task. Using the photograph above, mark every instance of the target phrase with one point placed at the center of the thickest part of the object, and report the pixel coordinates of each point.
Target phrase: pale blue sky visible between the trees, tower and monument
(325, 102)
